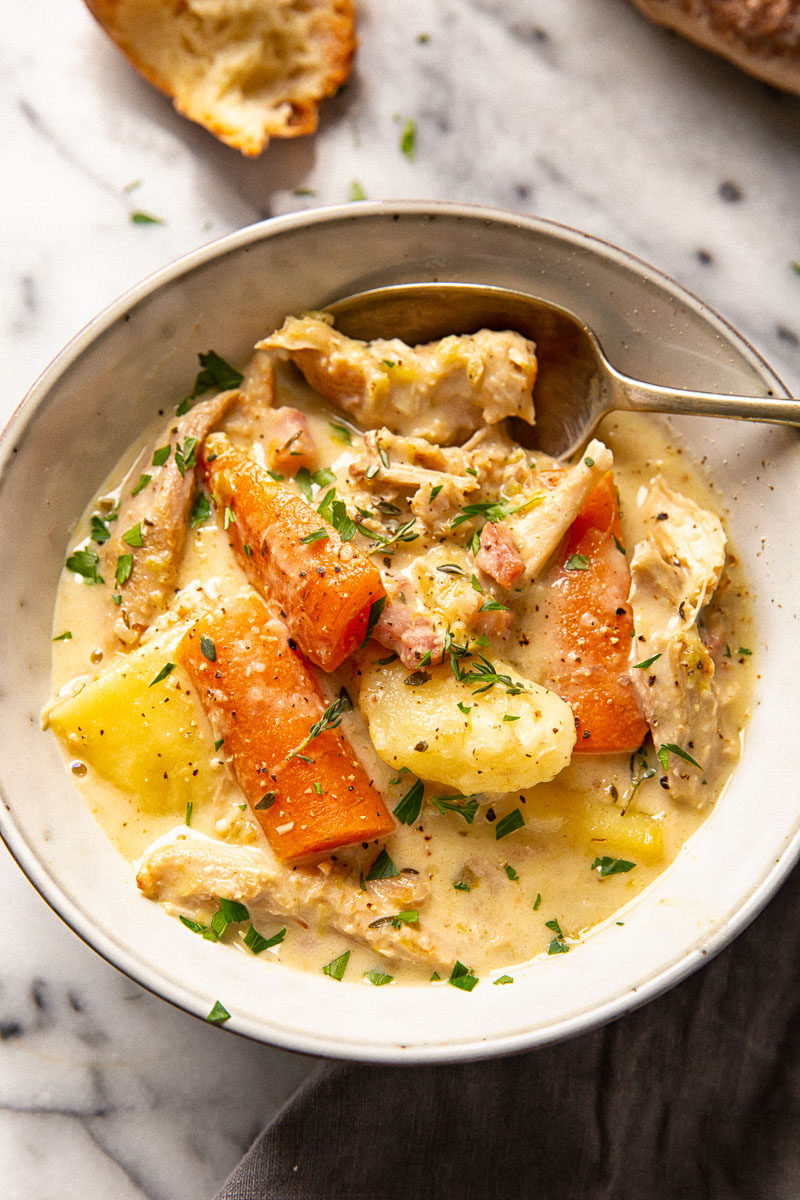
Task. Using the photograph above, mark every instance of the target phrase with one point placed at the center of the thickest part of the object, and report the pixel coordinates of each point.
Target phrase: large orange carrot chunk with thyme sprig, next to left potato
(311, 795)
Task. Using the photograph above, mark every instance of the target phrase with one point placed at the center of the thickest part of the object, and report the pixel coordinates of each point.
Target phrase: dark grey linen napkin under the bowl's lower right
(695, 1097)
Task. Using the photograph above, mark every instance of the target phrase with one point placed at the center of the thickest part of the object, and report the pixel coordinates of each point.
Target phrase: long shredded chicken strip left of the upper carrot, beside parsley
(161, 511)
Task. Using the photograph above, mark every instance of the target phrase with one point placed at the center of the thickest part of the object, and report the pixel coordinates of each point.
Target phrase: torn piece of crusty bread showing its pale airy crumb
(246, 70)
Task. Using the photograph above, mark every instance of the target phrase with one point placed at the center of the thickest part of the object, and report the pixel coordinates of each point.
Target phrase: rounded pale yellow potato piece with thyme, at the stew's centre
(416, 722)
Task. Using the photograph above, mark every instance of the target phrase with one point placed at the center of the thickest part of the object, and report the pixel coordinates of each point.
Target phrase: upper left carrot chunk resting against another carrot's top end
(324, 586)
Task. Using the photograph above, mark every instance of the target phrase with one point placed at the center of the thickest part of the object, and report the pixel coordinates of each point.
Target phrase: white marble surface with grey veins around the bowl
(578, 111)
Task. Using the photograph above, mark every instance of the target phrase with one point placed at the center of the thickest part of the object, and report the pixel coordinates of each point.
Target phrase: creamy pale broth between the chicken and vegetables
(490, 901)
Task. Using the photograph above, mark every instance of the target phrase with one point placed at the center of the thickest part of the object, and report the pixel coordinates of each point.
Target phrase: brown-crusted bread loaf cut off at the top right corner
(761, 37)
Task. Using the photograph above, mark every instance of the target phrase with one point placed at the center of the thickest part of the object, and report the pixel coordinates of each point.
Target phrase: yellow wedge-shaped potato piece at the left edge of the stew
(149, 740)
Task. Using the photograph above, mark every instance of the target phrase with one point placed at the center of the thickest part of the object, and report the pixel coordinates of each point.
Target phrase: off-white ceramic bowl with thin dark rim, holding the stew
(136, 358)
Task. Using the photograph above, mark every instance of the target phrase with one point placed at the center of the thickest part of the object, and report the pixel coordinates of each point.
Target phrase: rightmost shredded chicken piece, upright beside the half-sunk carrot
(675, 573)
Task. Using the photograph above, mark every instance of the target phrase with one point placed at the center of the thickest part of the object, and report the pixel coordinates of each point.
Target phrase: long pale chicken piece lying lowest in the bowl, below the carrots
(189, 873)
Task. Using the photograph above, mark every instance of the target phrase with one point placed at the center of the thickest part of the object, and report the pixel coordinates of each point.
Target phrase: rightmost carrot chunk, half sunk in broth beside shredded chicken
(593, 627)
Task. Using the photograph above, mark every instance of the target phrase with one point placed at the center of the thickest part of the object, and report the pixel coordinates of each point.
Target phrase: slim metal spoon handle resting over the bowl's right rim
(647, 398)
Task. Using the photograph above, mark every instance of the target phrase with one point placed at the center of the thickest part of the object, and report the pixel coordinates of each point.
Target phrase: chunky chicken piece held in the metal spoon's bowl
(443, 392)
